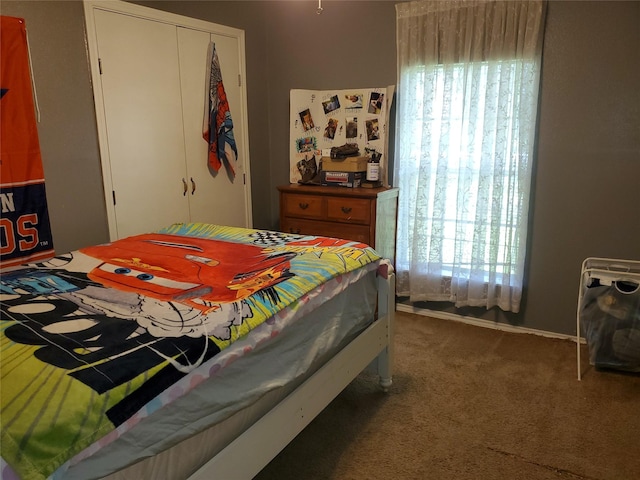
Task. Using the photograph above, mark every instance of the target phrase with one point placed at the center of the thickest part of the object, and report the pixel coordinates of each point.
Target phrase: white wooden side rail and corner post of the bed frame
(271, 433)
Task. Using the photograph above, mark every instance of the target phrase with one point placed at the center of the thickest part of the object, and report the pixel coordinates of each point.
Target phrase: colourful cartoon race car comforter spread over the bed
(91, 337)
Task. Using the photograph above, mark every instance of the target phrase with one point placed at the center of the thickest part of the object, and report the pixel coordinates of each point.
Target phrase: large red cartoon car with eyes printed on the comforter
(196, 271)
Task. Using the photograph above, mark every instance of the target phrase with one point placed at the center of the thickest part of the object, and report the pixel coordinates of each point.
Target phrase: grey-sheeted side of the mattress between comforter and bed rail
(275, 371)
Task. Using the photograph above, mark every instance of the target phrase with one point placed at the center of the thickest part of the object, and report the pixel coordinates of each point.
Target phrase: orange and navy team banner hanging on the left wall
(25, 232)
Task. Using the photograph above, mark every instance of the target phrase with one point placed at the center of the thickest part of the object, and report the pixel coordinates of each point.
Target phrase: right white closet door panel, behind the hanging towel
(218, 197)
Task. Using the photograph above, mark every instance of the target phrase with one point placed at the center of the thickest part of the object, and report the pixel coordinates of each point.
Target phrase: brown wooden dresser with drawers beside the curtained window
(366, 215)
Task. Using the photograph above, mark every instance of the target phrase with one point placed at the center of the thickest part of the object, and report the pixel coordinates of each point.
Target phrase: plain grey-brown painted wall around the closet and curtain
(588, 166)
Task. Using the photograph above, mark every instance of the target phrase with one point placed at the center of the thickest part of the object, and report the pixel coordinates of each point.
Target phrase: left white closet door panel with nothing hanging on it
(143, 114)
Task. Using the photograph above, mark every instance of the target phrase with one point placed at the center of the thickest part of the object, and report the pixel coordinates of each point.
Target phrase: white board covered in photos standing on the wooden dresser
(322, 119)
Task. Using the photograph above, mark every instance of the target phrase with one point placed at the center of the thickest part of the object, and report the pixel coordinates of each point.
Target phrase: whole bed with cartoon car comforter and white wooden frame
(198, 351)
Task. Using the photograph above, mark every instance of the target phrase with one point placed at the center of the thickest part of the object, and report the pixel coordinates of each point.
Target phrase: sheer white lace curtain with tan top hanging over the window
(467, 103)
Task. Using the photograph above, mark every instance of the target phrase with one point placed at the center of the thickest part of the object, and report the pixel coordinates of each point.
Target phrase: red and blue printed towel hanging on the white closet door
(218, 126)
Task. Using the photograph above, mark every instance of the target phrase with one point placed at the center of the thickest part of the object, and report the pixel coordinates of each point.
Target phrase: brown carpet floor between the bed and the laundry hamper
(474, 403)
